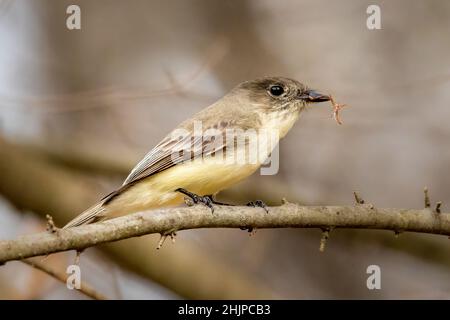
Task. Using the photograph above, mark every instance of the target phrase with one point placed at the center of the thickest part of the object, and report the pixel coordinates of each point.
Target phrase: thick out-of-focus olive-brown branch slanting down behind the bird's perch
(63, 193)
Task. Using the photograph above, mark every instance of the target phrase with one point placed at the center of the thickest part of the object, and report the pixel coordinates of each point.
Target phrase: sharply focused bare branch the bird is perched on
(166, 221)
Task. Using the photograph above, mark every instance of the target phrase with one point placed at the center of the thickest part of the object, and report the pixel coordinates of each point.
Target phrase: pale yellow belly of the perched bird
(202, 177)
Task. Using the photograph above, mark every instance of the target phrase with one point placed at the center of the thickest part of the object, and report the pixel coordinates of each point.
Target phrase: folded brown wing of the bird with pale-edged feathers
(172, 151)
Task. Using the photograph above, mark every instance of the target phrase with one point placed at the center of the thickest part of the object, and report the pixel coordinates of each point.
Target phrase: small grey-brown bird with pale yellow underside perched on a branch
(166, 174)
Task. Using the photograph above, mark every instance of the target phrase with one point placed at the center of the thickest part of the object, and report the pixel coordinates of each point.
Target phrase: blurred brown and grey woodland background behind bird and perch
(78, 108)
